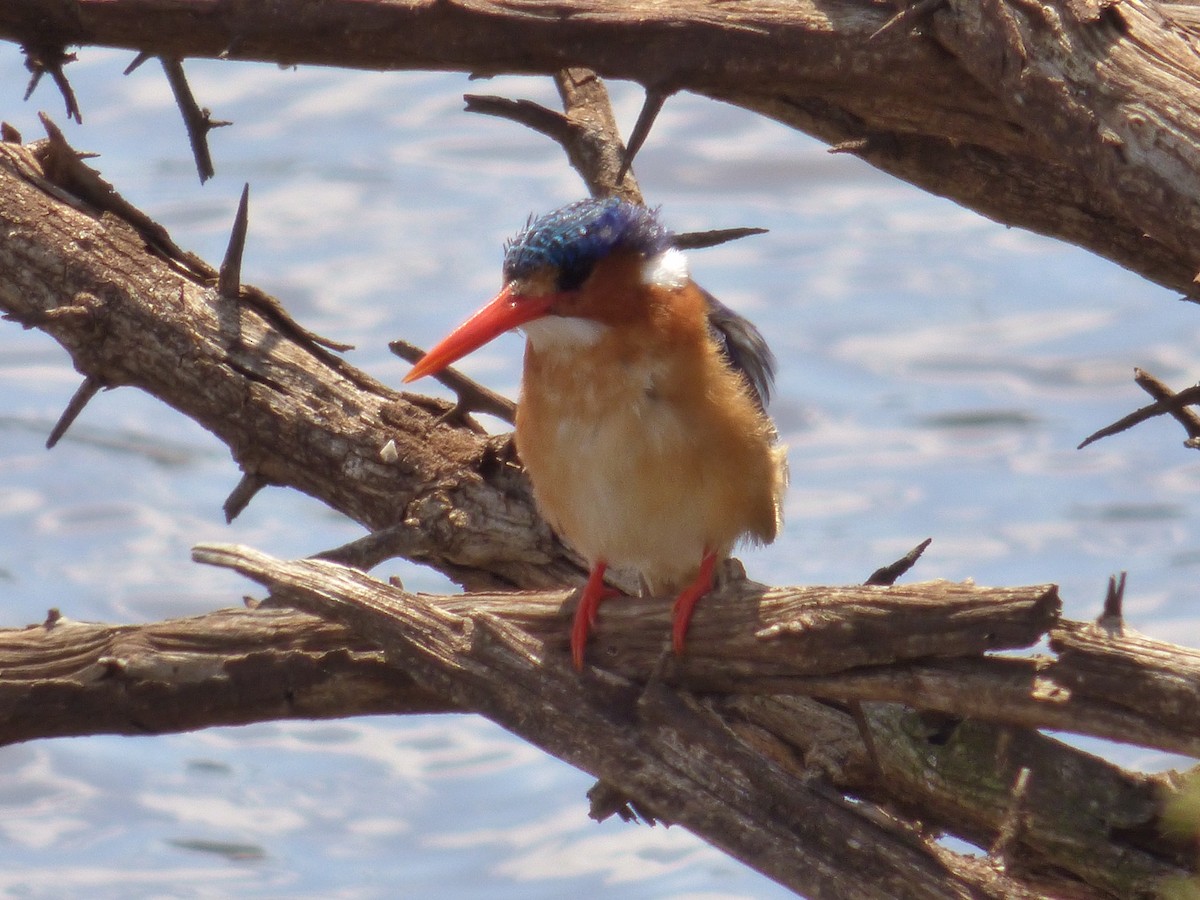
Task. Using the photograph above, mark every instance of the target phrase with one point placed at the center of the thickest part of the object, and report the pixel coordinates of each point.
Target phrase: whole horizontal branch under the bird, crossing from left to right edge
(908, 645)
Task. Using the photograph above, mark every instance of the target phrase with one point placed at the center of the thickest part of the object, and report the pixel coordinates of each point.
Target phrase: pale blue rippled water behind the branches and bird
(937, 374)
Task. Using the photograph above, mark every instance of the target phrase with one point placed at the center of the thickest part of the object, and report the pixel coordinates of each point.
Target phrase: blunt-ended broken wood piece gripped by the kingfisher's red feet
(748, 632)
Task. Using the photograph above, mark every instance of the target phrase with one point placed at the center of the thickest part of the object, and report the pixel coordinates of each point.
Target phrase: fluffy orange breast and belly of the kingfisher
(646, 451)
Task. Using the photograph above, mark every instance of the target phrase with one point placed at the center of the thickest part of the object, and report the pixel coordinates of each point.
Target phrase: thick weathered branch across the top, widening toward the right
(1071, 119)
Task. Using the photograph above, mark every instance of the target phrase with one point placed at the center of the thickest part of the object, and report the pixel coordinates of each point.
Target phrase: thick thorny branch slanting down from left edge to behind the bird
(131, 316)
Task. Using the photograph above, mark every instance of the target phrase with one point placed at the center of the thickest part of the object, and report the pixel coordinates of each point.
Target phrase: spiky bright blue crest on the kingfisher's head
(574, 238)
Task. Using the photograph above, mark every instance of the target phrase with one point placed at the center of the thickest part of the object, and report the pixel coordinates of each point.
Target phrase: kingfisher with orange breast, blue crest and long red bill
(641, 421)
